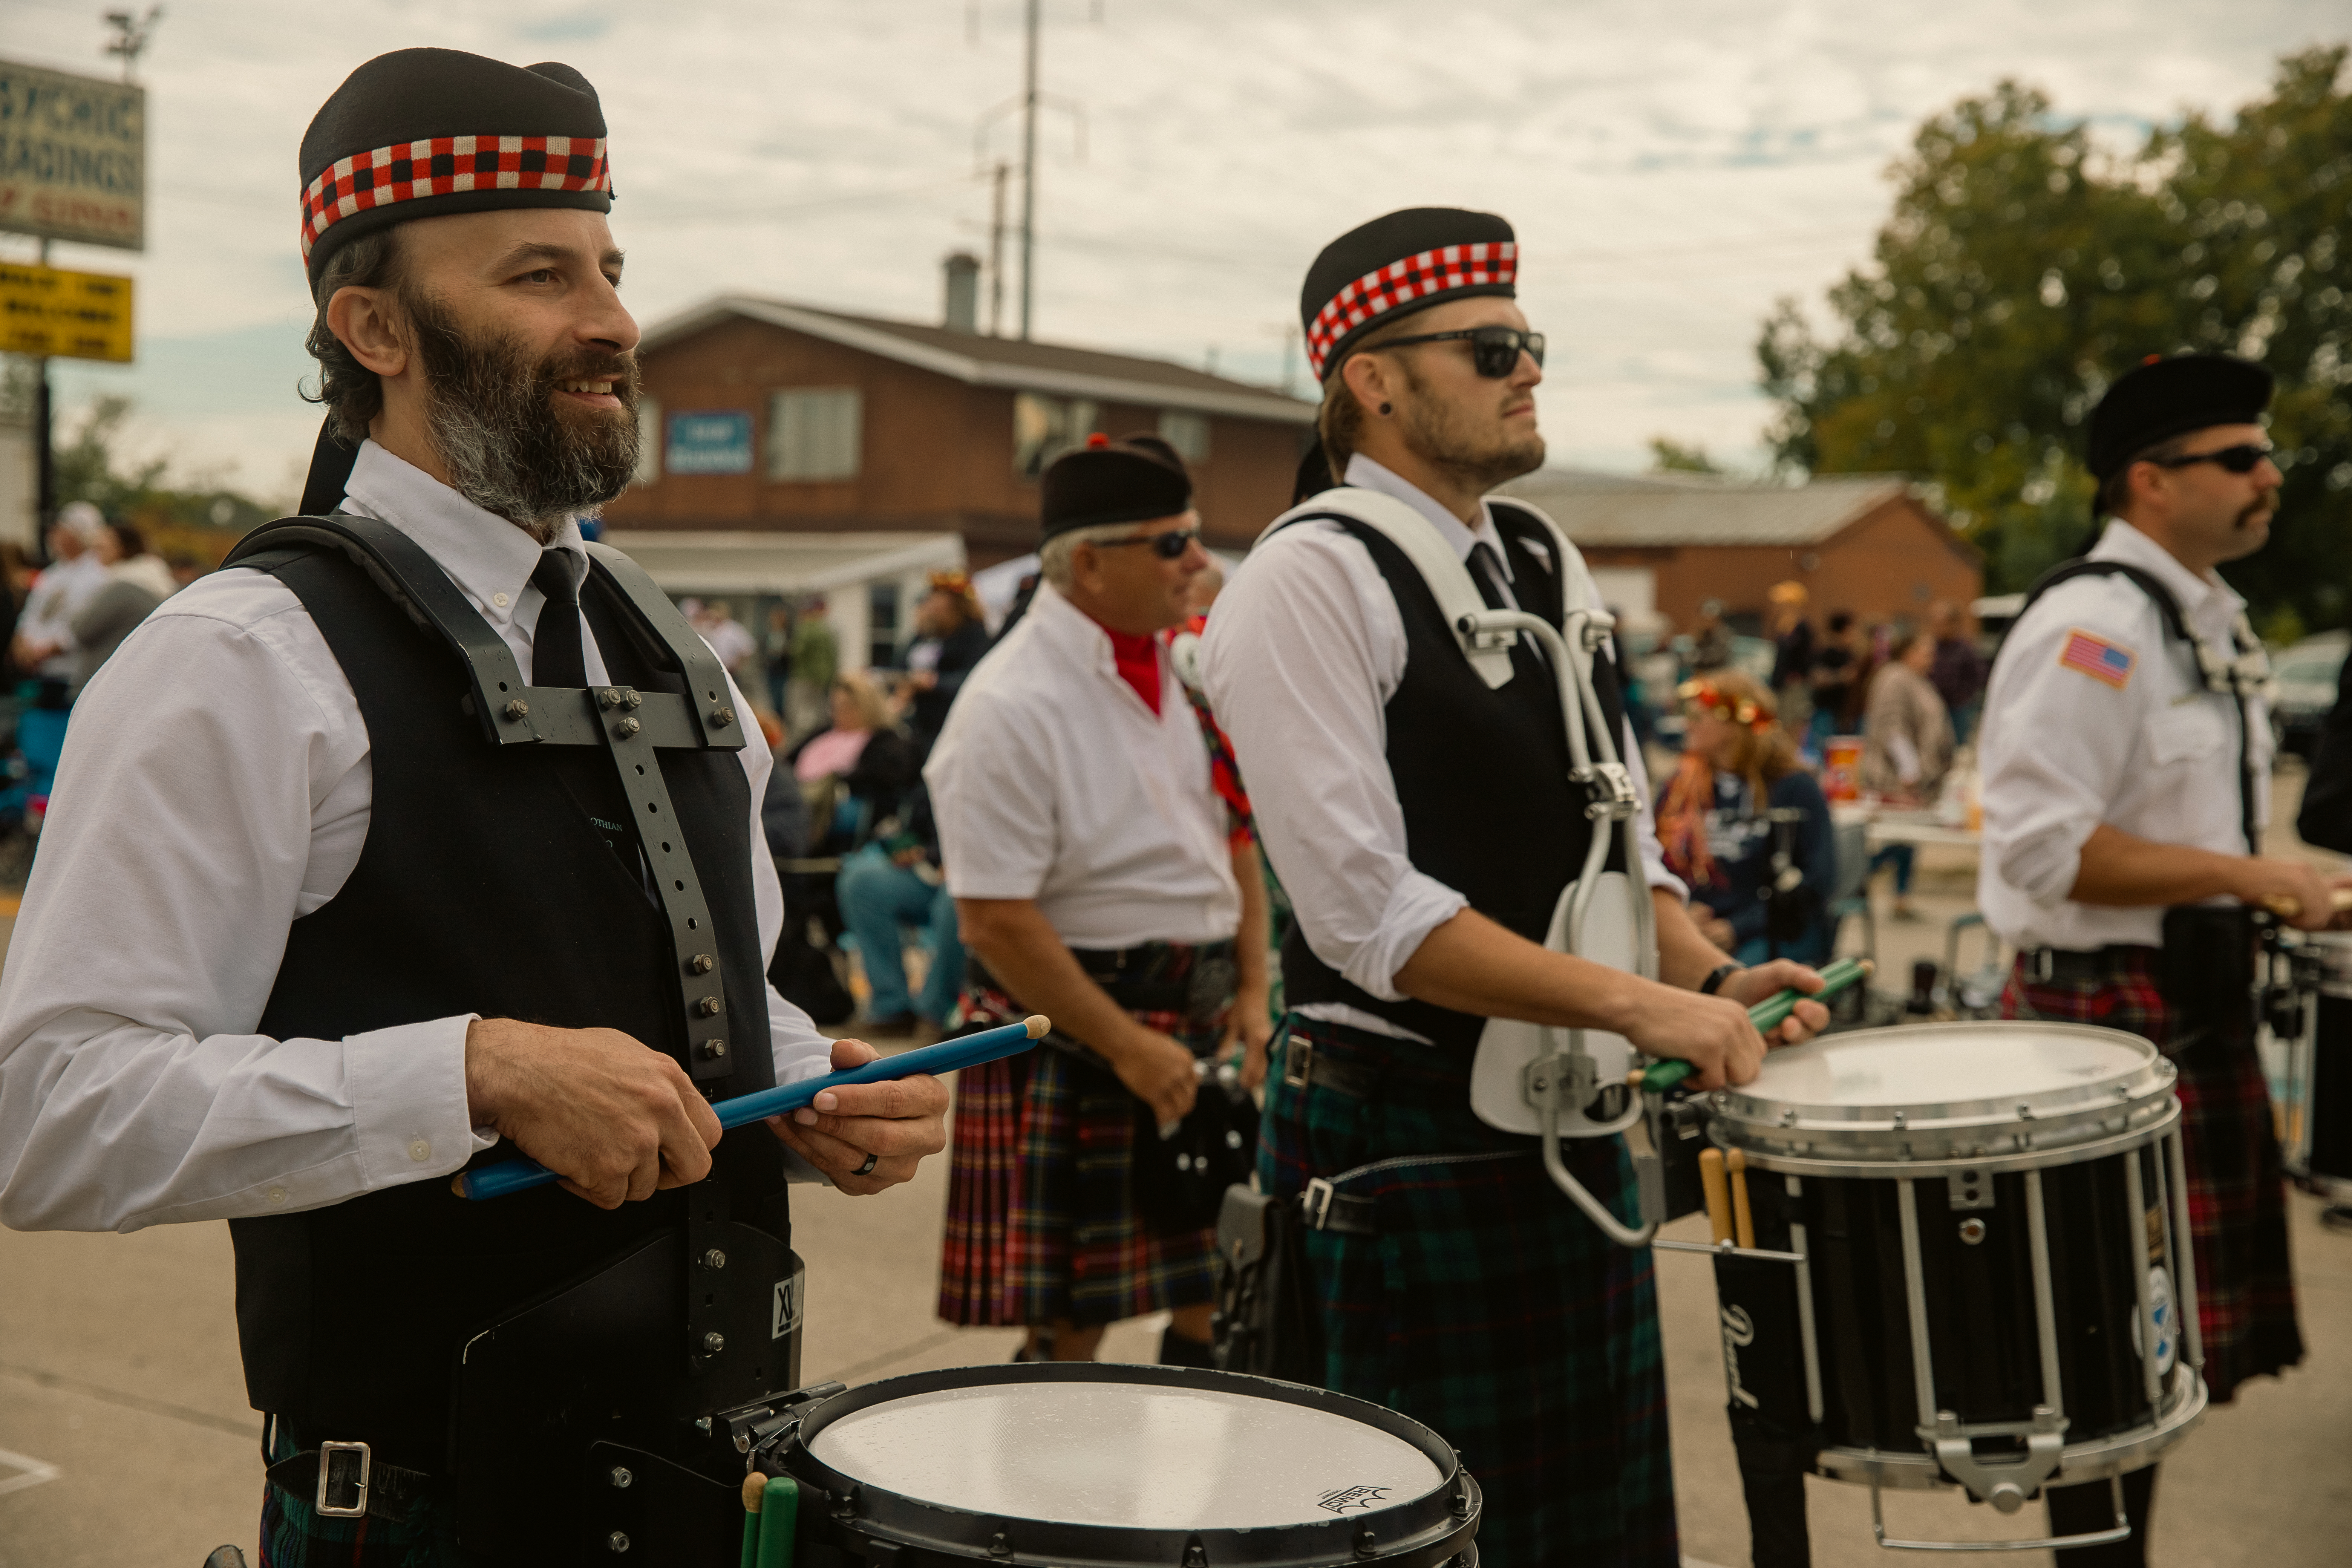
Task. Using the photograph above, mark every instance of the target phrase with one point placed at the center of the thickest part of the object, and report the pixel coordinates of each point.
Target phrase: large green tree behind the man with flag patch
(2022, 274)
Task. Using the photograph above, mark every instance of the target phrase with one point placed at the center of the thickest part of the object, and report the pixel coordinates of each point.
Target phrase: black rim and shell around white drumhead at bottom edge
(850, 1525)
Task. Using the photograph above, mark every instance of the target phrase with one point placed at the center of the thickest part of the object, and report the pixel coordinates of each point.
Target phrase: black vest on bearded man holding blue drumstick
(502, 883)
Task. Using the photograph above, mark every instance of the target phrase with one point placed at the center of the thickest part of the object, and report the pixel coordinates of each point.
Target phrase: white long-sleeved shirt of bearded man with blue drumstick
(215, 789)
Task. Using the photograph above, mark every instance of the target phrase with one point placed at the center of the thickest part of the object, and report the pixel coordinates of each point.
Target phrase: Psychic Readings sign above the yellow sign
(72, 159)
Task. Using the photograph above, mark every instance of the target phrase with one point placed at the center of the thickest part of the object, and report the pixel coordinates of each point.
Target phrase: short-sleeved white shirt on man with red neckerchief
(1055, 782)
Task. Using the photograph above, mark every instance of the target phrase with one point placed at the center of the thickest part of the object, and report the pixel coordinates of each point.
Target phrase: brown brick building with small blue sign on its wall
(775, 417)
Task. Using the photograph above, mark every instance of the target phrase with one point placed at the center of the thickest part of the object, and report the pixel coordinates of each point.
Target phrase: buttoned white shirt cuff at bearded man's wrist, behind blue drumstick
(408, 1101)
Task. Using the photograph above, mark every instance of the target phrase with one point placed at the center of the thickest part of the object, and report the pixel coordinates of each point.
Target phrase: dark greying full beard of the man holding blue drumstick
(509, 443)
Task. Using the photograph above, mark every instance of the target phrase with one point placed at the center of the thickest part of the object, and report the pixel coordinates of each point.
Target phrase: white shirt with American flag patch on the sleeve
(2144, 749)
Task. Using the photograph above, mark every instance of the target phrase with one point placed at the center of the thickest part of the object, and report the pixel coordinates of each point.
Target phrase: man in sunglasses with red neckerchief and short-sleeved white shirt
(1097, 880)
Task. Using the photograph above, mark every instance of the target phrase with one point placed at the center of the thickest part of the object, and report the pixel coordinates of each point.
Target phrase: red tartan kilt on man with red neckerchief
(1041, 1214)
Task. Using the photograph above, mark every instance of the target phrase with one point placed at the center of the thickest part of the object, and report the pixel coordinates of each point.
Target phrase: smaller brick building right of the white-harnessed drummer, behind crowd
(1669, 542)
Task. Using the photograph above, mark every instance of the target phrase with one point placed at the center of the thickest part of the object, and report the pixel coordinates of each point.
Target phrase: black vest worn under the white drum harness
(1483, 772)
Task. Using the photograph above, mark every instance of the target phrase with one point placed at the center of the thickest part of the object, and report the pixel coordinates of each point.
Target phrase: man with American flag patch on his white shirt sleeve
(2127, 782)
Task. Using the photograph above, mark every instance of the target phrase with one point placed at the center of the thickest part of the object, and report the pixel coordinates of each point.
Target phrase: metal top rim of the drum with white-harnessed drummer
(2052, 1108)
